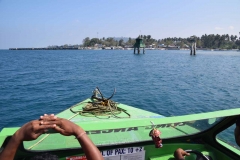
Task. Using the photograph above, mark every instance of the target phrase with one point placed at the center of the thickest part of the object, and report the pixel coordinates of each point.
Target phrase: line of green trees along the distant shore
(210, 41)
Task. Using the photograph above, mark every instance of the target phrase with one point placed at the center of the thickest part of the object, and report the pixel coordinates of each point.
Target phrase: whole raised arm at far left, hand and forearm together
(30, 131)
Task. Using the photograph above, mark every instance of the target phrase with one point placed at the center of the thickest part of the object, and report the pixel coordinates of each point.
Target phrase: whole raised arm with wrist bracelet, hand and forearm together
(67, 128)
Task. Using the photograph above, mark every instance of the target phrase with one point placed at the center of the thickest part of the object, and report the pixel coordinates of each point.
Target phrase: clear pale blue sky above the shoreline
(40, 23)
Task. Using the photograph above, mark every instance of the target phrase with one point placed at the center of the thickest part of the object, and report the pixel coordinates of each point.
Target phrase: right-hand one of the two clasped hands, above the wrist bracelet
(63, 126)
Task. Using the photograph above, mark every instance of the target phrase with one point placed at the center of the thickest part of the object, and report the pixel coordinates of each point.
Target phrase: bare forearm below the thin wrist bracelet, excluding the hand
(90, 150)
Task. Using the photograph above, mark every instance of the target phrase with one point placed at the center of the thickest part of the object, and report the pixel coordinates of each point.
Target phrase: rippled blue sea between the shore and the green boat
(166, 82)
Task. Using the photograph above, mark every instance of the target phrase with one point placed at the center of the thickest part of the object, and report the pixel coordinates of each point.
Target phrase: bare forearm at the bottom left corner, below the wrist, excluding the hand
(9, 151)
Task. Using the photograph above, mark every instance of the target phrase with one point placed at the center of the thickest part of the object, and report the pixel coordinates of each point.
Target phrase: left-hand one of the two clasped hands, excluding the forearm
(32, 130)
